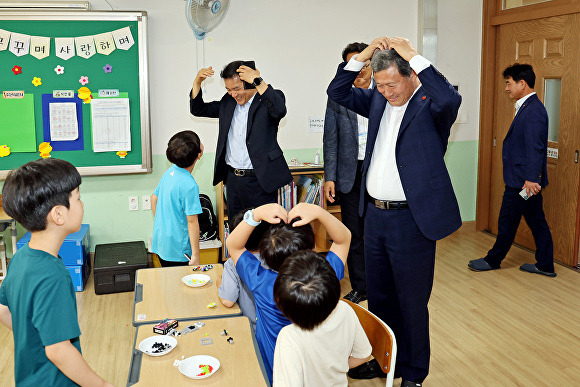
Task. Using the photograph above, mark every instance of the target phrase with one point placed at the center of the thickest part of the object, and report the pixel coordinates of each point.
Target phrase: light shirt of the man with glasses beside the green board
(237, 155)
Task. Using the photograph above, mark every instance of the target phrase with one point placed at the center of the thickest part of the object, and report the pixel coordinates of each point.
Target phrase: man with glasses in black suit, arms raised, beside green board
(248, 158)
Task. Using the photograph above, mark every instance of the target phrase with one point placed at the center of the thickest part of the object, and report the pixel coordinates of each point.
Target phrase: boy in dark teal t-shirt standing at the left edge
(37, 297)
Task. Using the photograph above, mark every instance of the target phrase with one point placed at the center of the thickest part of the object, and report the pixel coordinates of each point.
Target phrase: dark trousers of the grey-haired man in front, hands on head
(400, 263)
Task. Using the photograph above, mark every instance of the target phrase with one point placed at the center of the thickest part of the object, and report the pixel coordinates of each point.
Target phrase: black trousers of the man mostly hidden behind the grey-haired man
(349, 213)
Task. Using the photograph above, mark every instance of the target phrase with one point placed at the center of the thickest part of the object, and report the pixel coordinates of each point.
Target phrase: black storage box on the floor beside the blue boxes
(115, 266)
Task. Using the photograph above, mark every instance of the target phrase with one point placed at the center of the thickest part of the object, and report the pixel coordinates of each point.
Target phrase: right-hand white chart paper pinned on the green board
(111, 123)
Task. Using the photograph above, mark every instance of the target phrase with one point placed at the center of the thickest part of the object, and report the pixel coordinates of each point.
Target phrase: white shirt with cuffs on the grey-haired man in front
(383, 180)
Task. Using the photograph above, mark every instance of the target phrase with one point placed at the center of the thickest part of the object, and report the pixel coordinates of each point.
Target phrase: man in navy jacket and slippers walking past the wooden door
(524, 168)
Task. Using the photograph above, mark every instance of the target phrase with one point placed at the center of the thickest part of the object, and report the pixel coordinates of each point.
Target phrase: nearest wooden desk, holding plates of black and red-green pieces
(240, 363)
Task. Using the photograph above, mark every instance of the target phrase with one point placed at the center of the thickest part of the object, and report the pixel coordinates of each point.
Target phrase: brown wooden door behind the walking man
(551, 46)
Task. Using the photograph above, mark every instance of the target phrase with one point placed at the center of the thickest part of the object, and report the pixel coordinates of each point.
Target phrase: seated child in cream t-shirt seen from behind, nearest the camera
(326, 337)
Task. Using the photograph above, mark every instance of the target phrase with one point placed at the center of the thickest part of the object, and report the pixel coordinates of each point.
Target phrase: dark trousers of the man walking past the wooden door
(513, 206)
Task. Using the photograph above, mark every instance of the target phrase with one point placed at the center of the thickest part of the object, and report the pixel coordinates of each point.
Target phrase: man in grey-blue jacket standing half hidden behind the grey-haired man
(344, 141)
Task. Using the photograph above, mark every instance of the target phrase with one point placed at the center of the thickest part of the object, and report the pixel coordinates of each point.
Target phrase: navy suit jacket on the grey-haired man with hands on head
(420, 146)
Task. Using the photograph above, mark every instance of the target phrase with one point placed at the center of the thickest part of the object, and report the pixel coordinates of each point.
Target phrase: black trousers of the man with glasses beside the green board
(244, 192)
